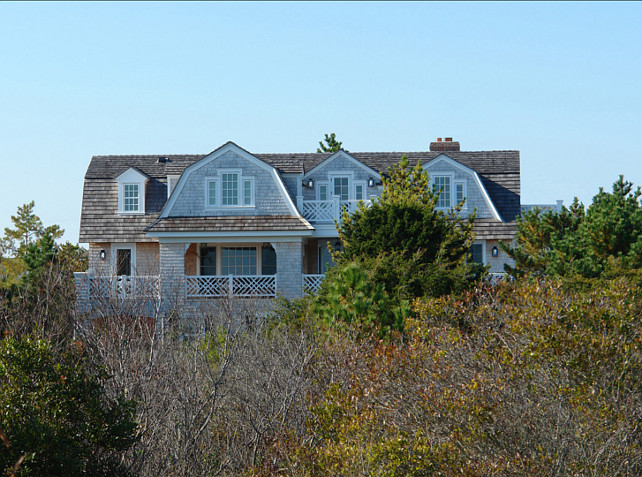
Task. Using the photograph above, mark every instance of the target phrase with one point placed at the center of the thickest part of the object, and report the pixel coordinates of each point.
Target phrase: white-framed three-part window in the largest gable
(230, 189)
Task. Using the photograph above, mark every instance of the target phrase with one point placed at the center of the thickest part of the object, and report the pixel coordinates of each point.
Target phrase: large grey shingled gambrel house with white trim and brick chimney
(236, 223)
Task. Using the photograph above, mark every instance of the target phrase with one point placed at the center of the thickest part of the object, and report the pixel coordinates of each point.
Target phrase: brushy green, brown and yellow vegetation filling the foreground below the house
(541, 375)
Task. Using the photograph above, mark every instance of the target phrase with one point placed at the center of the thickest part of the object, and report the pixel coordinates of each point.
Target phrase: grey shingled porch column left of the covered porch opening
(172, 274)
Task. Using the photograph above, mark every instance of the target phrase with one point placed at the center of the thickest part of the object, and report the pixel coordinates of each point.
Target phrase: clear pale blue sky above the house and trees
(560, 82)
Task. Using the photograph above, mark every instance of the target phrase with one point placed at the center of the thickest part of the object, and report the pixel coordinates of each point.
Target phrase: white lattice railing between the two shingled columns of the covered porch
(207, 286)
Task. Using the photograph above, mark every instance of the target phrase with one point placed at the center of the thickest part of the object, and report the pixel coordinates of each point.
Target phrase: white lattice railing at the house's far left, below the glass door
(123, 286)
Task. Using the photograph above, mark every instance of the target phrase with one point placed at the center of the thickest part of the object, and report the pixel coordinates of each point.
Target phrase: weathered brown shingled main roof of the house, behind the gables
(499, 172)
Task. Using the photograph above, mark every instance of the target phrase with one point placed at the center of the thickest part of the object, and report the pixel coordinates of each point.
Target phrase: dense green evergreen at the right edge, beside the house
(579, 241)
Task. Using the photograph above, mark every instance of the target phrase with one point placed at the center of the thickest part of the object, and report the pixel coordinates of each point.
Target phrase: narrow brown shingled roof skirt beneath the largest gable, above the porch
(257, 223)
